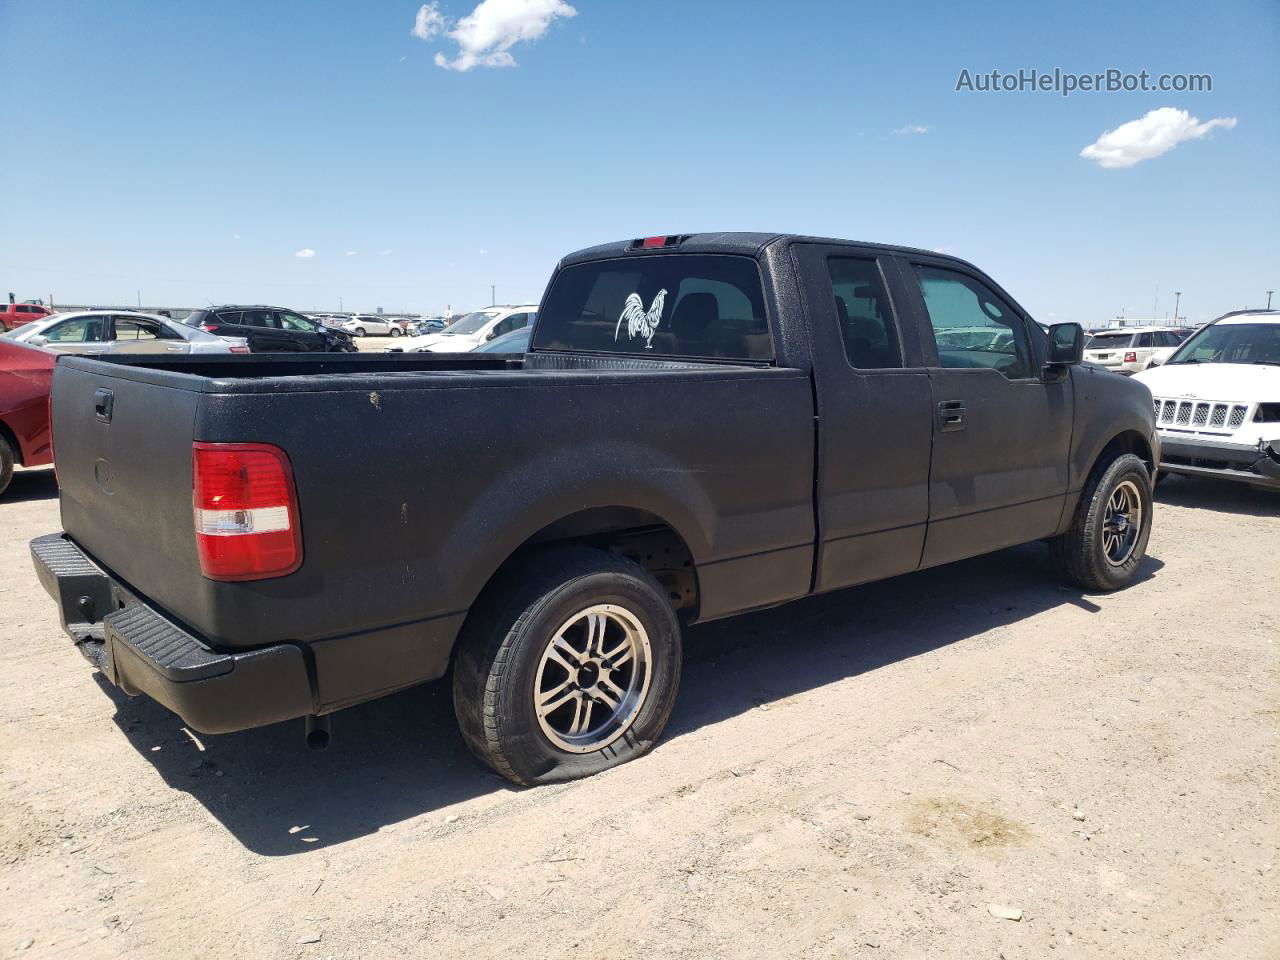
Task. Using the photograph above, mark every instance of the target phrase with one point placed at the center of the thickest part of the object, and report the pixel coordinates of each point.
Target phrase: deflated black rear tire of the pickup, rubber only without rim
(502, 646)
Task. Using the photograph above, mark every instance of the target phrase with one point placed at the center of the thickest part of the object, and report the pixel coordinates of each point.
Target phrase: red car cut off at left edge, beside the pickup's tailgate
(26, 374)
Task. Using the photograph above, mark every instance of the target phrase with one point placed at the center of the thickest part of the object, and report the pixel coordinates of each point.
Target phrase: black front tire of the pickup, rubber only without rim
(1078, 555)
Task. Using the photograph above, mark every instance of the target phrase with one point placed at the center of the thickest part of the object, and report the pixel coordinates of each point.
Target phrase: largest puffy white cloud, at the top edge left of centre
(487, 35)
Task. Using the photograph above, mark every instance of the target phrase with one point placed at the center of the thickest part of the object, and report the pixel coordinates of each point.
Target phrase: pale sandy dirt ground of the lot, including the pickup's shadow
(876, 774)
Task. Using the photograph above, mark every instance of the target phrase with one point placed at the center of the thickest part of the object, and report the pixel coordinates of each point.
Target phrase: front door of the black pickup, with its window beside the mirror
(1002, 437)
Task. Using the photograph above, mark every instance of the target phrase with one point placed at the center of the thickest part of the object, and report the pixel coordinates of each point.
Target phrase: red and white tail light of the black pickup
(246, 511)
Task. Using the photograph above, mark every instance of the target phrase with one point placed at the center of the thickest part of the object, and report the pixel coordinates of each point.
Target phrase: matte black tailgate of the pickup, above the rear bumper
(124, 450)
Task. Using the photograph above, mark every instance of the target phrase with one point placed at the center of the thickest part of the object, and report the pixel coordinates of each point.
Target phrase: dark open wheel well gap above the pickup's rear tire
(641, 537)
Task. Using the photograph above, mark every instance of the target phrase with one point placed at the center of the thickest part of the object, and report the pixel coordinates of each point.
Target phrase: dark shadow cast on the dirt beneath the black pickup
(401, 757)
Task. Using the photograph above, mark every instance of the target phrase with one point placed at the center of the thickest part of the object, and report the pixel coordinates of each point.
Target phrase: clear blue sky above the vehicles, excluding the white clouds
(193, 150)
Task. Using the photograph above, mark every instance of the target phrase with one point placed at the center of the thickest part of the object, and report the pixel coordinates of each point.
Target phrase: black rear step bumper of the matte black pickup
(143, 652)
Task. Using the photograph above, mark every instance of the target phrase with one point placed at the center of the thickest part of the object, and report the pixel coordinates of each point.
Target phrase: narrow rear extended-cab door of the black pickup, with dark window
(875, 417)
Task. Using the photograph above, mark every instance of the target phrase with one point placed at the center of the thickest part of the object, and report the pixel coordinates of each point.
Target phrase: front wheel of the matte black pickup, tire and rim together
(1108, 538)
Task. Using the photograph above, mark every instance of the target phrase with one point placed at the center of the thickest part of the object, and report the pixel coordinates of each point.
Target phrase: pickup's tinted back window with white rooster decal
(666, 307)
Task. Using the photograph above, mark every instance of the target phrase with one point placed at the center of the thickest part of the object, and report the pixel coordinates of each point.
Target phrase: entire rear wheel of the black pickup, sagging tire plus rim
(569, 666)
